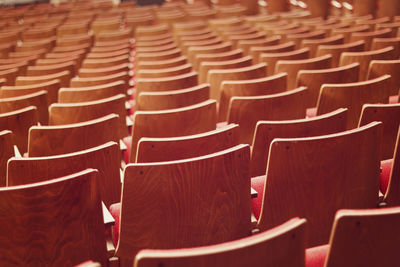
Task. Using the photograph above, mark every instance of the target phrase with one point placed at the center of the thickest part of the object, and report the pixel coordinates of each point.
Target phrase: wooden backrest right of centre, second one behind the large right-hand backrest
(248, 110)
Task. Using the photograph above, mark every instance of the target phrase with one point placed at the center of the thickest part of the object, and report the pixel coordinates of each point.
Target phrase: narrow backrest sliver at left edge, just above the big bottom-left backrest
(6, 152)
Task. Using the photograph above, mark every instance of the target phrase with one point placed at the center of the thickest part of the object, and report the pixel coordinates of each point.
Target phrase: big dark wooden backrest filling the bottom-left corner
(75, 235)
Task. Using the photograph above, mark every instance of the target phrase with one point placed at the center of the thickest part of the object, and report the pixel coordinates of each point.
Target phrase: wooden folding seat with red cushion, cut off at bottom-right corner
(362, 237)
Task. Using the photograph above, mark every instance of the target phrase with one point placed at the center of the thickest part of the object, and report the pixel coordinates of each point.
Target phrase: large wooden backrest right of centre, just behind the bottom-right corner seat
(313, 177)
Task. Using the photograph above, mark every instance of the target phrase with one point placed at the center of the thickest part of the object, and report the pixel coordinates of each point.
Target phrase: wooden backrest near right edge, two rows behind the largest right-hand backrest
(353, 96)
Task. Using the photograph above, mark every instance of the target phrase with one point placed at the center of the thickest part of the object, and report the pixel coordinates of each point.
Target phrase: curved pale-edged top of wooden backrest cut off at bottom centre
(264, 249)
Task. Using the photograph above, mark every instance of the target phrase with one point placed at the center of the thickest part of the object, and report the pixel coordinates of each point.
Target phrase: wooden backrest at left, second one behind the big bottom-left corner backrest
(63, 139)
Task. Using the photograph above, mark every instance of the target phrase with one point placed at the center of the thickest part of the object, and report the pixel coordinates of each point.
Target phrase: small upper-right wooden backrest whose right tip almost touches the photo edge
(364, 59)
